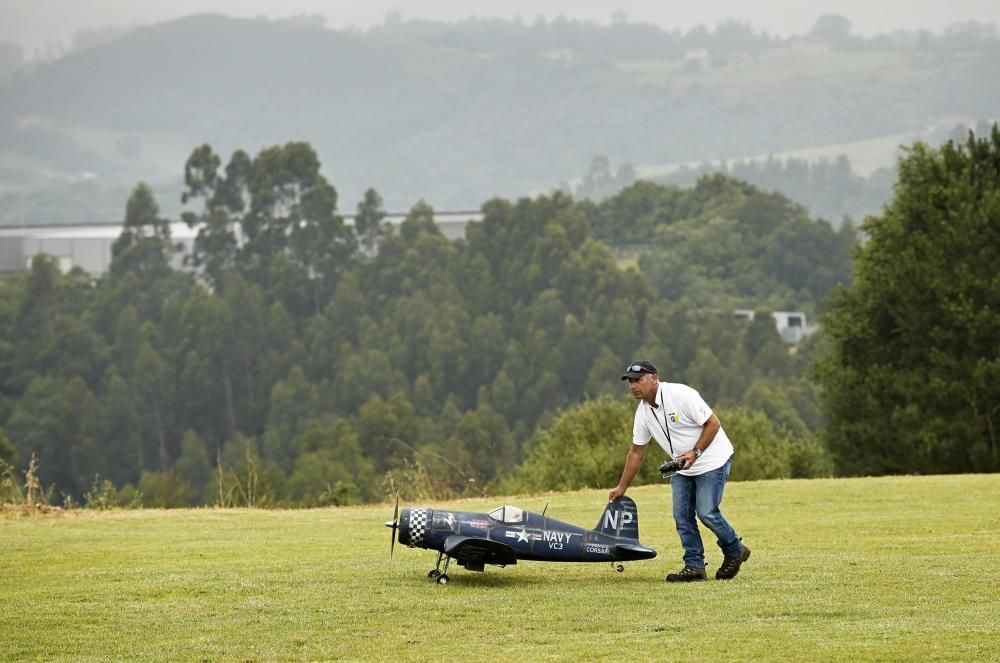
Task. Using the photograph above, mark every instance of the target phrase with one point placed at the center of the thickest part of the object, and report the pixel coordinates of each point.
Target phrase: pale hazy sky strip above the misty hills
(32, 23)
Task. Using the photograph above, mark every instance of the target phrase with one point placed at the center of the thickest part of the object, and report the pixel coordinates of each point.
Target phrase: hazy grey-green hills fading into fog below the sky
(458, 112)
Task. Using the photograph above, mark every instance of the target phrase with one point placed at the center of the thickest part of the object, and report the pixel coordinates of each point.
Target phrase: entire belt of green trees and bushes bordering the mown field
(298, 360)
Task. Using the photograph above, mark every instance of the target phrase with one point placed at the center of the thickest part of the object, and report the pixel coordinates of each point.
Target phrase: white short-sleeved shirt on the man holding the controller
(681, 409)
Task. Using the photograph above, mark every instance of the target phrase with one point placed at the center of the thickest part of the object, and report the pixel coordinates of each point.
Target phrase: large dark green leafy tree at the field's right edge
(912, 371)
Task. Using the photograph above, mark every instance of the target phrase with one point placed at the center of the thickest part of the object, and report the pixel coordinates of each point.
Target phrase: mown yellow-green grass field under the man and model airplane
(903, 568)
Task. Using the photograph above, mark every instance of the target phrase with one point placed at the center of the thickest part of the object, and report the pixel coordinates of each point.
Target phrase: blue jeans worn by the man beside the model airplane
(701, 495)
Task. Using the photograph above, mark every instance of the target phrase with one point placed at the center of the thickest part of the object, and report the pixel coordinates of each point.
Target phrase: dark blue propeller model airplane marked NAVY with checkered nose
(508, 533)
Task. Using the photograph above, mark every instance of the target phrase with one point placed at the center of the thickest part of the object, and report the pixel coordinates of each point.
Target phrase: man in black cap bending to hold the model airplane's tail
(682, 423)
